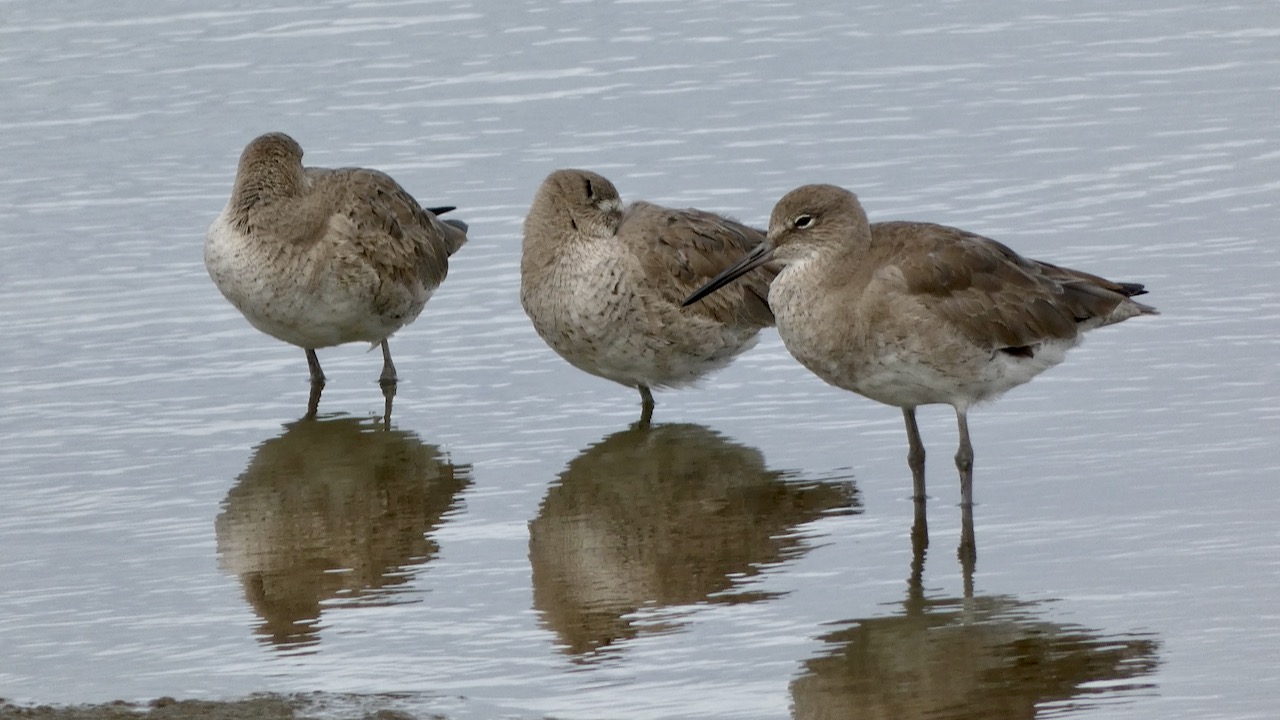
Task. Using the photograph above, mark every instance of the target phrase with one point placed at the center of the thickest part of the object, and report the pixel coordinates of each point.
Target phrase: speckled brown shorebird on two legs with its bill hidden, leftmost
(318, 257)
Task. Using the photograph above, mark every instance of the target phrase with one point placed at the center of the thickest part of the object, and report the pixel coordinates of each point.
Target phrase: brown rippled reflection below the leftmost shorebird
(333, 513)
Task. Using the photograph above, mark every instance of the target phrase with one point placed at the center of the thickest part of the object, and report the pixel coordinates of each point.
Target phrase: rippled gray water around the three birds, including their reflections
(511, 546)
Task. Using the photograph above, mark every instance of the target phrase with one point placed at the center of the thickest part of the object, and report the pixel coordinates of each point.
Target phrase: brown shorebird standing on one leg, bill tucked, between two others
(604, 284)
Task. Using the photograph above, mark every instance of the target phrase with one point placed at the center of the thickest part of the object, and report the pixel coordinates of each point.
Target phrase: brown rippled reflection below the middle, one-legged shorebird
(659, 517)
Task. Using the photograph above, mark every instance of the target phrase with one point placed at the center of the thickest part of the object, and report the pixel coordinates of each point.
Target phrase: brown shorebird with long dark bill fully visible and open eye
(912, 315)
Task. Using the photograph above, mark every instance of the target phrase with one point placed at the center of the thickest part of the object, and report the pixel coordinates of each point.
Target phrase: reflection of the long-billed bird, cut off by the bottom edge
(990, 658)
